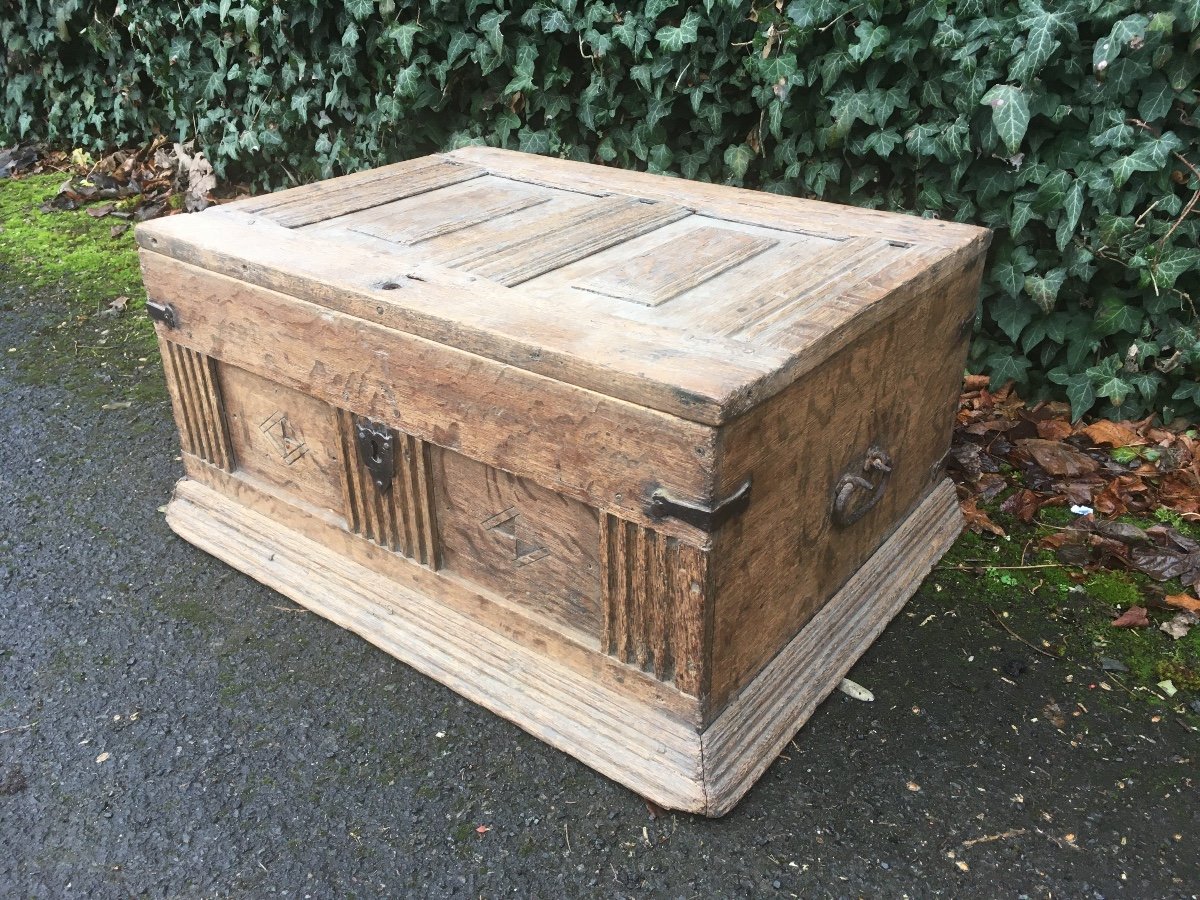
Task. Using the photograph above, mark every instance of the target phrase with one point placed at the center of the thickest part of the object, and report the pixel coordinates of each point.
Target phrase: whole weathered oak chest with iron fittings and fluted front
(639, 464)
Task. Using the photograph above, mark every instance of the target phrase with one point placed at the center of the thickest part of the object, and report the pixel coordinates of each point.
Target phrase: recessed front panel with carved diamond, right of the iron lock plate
(519, 541)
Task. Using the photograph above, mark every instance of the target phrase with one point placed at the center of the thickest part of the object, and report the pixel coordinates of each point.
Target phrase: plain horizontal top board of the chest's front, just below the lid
(599, 451)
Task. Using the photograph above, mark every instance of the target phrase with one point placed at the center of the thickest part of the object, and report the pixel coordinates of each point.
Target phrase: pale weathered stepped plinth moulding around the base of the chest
(639, 745)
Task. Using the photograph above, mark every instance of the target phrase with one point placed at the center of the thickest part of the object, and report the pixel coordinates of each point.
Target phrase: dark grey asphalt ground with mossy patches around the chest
(170, 728)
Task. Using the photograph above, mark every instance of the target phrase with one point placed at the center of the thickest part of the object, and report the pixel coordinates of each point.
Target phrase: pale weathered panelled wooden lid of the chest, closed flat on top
(693, 299)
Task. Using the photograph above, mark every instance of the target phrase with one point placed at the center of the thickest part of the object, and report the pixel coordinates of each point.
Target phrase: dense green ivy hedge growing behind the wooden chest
(1070, 127)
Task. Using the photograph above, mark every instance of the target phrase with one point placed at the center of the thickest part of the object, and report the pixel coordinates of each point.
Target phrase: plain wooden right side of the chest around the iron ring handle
(893, 391)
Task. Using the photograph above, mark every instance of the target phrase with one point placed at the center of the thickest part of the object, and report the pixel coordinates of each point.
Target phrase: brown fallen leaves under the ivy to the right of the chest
(1099, 471)
